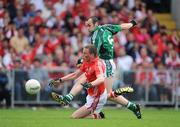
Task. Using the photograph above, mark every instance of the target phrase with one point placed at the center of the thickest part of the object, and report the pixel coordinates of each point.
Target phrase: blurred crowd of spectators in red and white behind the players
(39, 37)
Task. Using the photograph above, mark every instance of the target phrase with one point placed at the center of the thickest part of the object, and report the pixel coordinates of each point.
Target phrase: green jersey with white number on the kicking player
(102, 38)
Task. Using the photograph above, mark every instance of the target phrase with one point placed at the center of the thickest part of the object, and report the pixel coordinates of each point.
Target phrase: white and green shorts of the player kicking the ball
(110, 67)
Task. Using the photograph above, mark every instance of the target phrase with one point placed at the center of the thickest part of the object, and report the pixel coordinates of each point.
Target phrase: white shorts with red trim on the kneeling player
(95, 104)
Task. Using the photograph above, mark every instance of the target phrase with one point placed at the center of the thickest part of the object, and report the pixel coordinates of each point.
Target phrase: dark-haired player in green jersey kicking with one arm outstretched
(102, 38)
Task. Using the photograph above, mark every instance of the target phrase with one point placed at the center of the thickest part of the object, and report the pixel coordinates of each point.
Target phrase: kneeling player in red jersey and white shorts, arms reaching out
(94, 69)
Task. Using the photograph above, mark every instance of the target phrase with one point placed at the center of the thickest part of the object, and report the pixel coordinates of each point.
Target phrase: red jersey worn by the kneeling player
(92, 70)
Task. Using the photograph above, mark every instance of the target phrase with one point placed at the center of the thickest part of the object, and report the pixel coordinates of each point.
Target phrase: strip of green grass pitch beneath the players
(54, 117)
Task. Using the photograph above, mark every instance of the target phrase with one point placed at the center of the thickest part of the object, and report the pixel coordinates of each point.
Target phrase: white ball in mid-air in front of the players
(32, 86)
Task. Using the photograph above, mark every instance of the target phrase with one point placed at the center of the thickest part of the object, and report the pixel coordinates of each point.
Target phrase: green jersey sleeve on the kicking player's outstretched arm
(112, 28)
